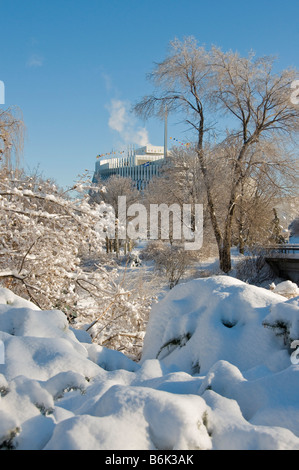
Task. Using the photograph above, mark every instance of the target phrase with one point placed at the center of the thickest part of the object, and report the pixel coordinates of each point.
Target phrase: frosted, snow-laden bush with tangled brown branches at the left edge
(51, 253)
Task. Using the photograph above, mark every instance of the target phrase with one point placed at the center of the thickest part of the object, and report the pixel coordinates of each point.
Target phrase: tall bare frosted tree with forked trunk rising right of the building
(204, 85)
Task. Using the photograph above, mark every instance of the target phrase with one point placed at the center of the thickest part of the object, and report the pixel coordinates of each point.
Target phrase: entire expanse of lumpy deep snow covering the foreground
(217, 372)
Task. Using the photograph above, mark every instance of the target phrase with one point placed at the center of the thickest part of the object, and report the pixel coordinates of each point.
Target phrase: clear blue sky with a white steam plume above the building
(74, 67)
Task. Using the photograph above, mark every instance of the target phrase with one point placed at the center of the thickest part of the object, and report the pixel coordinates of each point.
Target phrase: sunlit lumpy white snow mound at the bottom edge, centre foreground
(136, 418)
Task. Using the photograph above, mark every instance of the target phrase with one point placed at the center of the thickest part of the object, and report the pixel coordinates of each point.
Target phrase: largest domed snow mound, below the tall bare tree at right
(211, 319)
